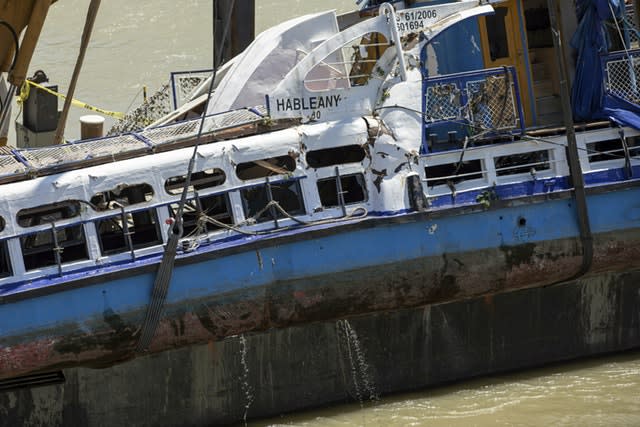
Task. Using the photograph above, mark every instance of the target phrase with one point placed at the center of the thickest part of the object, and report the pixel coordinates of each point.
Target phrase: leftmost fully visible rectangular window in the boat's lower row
(54, 246)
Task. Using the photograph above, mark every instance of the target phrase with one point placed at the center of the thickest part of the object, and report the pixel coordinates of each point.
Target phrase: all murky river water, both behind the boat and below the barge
(140, 42)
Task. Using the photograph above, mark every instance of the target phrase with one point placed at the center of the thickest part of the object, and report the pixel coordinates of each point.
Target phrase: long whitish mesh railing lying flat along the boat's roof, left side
(18, 164)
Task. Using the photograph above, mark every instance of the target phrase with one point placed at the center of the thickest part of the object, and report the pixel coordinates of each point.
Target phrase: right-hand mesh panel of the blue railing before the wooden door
(491, 104)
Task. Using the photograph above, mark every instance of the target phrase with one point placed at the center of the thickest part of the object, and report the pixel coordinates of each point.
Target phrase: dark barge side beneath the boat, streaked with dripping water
(305, 366)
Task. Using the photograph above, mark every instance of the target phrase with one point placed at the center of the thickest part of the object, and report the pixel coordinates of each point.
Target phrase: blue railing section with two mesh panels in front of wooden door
(480, 104)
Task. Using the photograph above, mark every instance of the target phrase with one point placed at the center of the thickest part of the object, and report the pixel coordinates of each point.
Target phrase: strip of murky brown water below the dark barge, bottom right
(596, 392)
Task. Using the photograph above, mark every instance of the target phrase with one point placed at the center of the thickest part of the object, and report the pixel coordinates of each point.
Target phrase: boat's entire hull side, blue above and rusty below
(384, 262)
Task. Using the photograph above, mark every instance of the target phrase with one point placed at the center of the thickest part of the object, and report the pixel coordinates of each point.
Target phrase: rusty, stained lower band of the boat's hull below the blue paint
(381, 288)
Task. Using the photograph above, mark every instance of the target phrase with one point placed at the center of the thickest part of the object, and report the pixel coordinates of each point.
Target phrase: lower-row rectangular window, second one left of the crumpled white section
(287, 194)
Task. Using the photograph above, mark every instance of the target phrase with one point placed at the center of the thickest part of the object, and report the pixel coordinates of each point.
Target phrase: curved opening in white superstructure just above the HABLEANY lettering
(353, 65)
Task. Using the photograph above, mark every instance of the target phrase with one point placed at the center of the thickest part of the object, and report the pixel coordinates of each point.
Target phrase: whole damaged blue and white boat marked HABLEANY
(404, 155)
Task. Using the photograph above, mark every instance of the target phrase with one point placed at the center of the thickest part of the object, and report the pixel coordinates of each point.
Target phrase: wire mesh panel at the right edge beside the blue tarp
(622, 74)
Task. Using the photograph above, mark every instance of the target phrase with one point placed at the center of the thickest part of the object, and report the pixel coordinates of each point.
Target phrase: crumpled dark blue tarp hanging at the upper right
(588, 97)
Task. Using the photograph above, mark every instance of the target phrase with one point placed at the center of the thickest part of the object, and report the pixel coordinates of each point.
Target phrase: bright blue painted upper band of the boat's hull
(333, 254)
